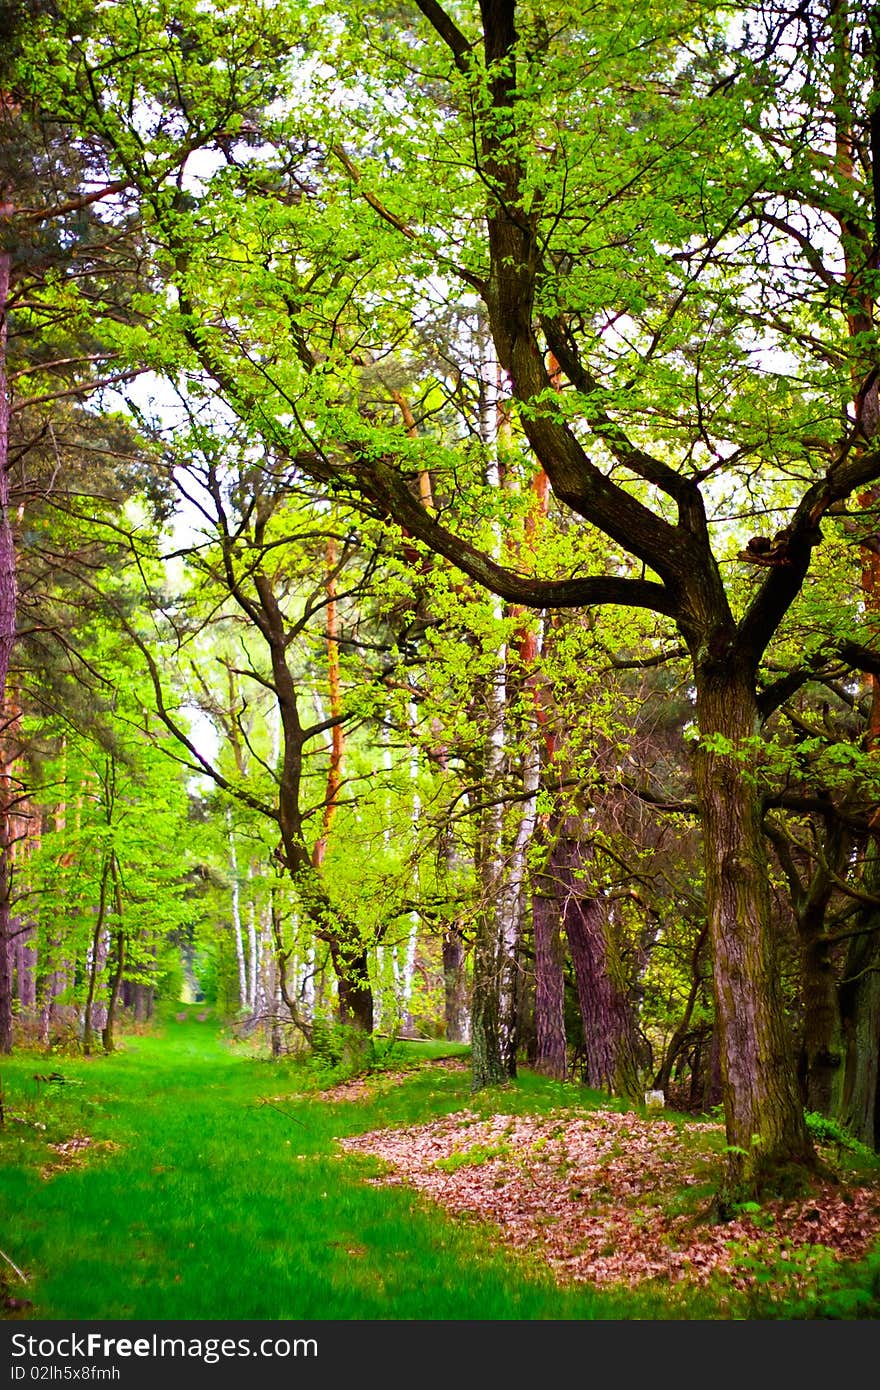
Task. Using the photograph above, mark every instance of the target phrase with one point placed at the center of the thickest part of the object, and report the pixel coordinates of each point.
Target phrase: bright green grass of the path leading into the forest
(212, 1189)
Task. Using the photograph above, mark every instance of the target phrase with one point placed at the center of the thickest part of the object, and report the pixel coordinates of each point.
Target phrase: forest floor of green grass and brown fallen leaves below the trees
(190, 1177)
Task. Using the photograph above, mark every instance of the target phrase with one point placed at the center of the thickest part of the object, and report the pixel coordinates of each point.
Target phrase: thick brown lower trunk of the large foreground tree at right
(767, 1132)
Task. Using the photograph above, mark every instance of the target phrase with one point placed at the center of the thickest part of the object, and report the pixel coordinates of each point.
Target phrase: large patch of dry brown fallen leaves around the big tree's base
(614, 1199)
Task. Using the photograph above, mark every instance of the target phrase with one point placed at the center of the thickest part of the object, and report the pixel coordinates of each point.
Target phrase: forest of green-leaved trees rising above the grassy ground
(440, 551)
